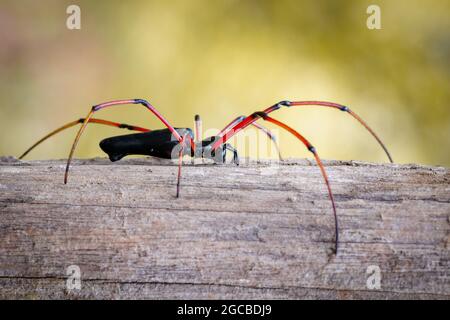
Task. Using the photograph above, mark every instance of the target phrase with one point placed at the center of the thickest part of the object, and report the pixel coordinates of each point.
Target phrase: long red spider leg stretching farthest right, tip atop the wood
(236, 127)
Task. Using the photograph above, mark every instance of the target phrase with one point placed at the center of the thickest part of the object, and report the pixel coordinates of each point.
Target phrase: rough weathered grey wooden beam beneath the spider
(254, 231)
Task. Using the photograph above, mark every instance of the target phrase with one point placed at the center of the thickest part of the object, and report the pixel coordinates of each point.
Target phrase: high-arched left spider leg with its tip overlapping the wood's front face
(110, 104)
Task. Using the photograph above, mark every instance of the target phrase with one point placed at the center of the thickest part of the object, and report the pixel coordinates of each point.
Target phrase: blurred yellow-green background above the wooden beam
(225, 58)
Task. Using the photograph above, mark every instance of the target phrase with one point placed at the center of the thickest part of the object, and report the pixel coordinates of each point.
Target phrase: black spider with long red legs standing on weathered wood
(171, 142)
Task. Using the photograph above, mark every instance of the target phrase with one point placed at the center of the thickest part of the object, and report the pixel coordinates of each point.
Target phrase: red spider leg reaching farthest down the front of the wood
(319, 163)
